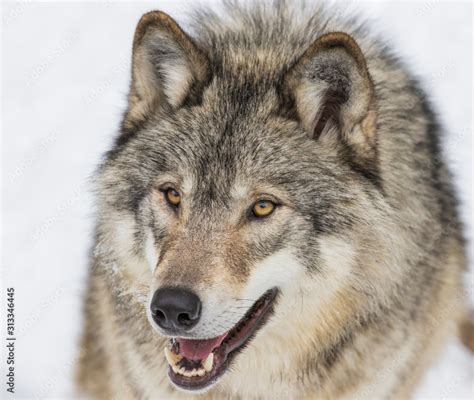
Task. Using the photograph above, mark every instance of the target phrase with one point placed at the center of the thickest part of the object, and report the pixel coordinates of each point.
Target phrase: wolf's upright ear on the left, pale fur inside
(166, 65)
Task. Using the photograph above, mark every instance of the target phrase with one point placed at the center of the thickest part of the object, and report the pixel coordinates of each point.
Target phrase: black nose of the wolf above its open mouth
(175, 309)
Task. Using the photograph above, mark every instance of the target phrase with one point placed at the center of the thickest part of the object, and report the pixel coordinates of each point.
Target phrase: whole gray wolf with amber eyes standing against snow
(274, 220)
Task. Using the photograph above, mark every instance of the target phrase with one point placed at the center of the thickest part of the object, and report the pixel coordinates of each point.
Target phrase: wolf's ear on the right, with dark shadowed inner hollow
(331, 88)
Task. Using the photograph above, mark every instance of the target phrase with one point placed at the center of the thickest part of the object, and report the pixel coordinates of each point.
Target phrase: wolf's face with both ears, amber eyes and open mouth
(240, 188)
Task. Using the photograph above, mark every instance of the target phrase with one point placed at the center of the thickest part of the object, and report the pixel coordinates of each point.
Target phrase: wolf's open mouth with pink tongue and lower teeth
(196, 364)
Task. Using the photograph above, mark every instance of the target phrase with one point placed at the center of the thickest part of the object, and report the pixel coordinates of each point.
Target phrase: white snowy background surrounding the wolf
(65, 71)
